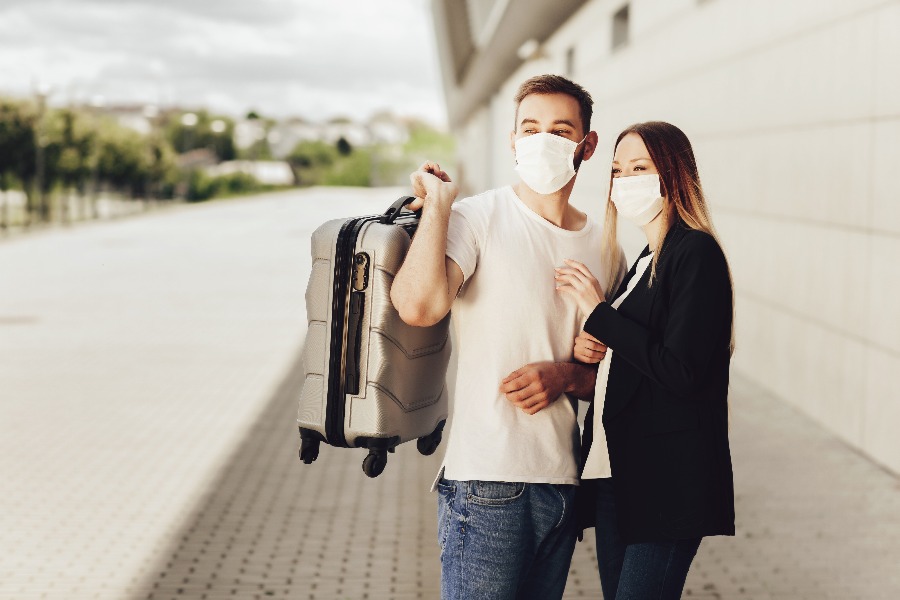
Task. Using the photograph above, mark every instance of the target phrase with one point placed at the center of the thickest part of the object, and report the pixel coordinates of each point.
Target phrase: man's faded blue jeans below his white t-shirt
(503, 540)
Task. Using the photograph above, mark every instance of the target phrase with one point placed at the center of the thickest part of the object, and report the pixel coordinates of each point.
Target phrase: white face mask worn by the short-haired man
(545, 162)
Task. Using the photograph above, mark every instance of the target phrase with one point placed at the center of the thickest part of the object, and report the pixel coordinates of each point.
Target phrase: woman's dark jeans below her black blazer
(646, 571)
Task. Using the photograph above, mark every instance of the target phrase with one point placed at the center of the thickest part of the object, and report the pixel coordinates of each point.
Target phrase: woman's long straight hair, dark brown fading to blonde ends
(672, 154)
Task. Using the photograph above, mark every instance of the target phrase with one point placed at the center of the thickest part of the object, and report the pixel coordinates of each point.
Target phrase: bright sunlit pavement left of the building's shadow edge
(134, 356)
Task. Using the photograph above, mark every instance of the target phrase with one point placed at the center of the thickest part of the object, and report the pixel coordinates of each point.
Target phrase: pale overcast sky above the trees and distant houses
(310, 58)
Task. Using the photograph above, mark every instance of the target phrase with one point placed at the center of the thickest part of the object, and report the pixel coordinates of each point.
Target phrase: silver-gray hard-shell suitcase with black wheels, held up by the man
(372, 381)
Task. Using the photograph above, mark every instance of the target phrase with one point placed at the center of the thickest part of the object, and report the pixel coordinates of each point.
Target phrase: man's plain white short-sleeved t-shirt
(507, 315)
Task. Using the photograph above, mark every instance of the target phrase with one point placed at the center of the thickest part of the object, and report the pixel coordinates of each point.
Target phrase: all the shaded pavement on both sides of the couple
(272, 527)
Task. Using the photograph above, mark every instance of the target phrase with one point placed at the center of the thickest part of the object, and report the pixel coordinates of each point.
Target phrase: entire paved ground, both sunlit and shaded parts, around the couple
(149, 371)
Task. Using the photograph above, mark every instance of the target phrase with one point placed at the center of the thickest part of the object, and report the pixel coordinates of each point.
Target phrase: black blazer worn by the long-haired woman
(666, 408)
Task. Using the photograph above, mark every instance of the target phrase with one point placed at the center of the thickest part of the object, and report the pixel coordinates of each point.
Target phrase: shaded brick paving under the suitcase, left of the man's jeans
(271, 526)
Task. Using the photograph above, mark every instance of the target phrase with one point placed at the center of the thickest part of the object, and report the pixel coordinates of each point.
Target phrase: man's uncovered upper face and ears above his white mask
(557, 114)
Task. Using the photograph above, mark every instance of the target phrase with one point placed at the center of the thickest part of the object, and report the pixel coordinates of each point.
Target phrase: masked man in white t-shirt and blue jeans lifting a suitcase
(506, 489)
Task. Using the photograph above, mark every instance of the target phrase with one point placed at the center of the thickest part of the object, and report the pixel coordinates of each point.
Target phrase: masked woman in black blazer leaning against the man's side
(661, 400)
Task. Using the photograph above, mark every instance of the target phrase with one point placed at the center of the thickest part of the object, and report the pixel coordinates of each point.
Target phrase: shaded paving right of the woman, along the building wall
(815, 519)
